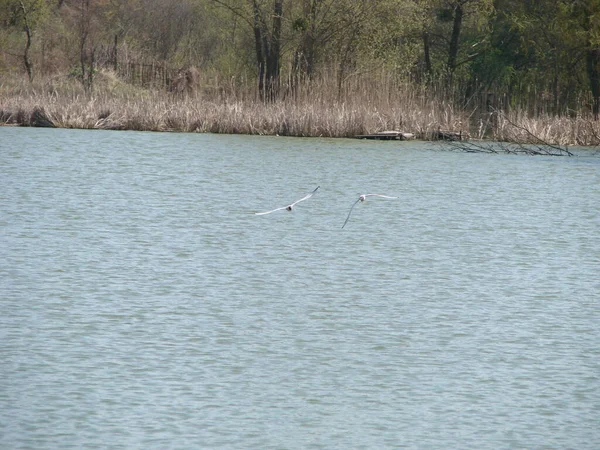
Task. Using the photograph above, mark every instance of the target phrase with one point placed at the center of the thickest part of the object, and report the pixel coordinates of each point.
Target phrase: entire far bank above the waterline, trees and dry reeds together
(503, 70)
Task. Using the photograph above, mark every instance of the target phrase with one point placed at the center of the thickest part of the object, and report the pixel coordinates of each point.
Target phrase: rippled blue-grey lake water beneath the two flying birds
(145, 306)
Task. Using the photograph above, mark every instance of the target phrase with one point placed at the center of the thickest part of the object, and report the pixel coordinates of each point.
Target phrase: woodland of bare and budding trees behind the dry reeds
(541, 55)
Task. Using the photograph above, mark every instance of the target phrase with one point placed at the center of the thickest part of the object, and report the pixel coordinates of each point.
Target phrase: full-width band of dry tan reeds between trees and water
(364, 106)
